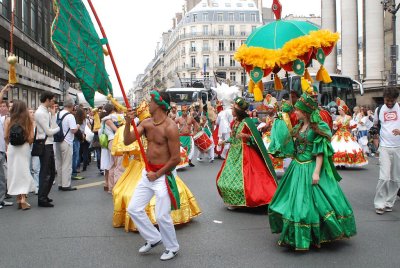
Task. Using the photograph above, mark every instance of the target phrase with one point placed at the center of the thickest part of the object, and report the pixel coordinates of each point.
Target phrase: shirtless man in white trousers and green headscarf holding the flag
(163, 155)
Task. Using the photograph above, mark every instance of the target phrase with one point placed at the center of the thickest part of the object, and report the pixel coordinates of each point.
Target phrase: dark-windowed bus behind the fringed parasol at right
(341, 86)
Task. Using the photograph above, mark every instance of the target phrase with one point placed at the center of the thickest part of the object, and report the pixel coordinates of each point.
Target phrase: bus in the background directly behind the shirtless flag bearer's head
(189, 95)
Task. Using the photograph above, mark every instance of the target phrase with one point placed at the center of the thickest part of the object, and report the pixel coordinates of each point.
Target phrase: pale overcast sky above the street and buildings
(134, 27)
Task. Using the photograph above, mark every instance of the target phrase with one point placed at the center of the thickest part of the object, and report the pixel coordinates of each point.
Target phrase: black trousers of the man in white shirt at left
(47, 173)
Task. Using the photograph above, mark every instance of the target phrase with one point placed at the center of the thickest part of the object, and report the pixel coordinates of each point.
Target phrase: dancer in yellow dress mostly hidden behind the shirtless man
(123, 190)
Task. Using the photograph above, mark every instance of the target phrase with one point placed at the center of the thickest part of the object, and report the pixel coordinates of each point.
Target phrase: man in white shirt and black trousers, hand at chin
(46, 127)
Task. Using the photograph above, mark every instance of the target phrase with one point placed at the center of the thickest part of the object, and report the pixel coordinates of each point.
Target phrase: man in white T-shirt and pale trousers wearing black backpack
(64, 149)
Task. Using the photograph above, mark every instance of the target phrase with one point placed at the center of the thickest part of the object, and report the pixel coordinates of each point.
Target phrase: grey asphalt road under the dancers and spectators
(78, 231)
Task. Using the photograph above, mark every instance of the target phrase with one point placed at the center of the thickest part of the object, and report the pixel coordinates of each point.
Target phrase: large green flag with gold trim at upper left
(78, 44)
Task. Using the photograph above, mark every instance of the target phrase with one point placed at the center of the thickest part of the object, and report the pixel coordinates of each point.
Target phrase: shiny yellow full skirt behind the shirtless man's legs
(123, 191)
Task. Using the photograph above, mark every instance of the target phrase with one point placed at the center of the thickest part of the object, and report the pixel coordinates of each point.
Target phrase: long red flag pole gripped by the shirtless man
(120, 83)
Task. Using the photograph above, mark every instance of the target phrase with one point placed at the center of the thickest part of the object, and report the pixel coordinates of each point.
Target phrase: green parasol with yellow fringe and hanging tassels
(285, 44)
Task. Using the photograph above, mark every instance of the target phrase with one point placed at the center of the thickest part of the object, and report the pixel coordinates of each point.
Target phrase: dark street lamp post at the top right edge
(390, 6)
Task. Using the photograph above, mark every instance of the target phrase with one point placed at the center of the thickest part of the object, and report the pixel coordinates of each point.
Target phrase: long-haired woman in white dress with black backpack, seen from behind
(19, 179)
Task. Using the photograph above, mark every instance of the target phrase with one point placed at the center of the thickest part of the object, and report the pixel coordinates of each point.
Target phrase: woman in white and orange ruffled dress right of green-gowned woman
(348, 152)
